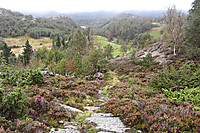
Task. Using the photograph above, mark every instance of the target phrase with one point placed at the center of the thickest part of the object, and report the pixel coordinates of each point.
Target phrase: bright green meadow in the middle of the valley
(100, 41)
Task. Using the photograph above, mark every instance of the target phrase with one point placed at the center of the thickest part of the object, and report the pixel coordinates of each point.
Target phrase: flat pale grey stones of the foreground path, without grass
(106, 123)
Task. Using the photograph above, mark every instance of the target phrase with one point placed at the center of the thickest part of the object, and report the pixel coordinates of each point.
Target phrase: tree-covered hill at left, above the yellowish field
(17, 24)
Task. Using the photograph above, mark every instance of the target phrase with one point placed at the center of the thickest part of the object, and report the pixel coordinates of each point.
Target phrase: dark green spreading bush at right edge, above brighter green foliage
(187, 76)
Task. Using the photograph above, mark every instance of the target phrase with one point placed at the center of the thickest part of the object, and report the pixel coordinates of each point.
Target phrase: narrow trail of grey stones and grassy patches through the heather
(105, 122)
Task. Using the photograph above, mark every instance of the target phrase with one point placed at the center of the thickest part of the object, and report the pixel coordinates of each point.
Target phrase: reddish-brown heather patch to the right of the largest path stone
(155, 115)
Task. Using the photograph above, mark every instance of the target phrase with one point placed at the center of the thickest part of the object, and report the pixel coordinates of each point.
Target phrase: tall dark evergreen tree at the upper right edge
(193, 27)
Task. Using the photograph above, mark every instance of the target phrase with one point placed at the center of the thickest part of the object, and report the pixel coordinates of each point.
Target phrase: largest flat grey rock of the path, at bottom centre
(107, 122)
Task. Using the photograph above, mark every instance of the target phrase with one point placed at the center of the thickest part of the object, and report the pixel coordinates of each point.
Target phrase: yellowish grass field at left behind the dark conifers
(20, 41)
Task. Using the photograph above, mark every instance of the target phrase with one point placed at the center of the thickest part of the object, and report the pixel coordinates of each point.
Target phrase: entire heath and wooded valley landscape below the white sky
(115, 73)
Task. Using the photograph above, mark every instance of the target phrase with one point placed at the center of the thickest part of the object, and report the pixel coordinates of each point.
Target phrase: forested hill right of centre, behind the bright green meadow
(124, 27)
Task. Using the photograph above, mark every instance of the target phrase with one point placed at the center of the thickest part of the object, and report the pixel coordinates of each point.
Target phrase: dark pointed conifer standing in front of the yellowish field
(27, 53)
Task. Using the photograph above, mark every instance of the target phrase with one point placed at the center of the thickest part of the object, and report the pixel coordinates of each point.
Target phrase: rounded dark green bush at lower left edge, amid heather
(15, 104)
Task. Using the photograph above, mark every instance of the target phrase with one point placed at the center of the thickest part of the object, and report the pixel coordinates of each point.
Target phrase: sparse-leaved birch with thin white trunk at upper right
(174, 26)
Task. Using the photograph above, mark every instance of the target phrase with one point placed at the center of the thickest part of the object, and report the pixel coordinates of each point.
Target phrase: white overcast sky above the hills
(65, 6)
